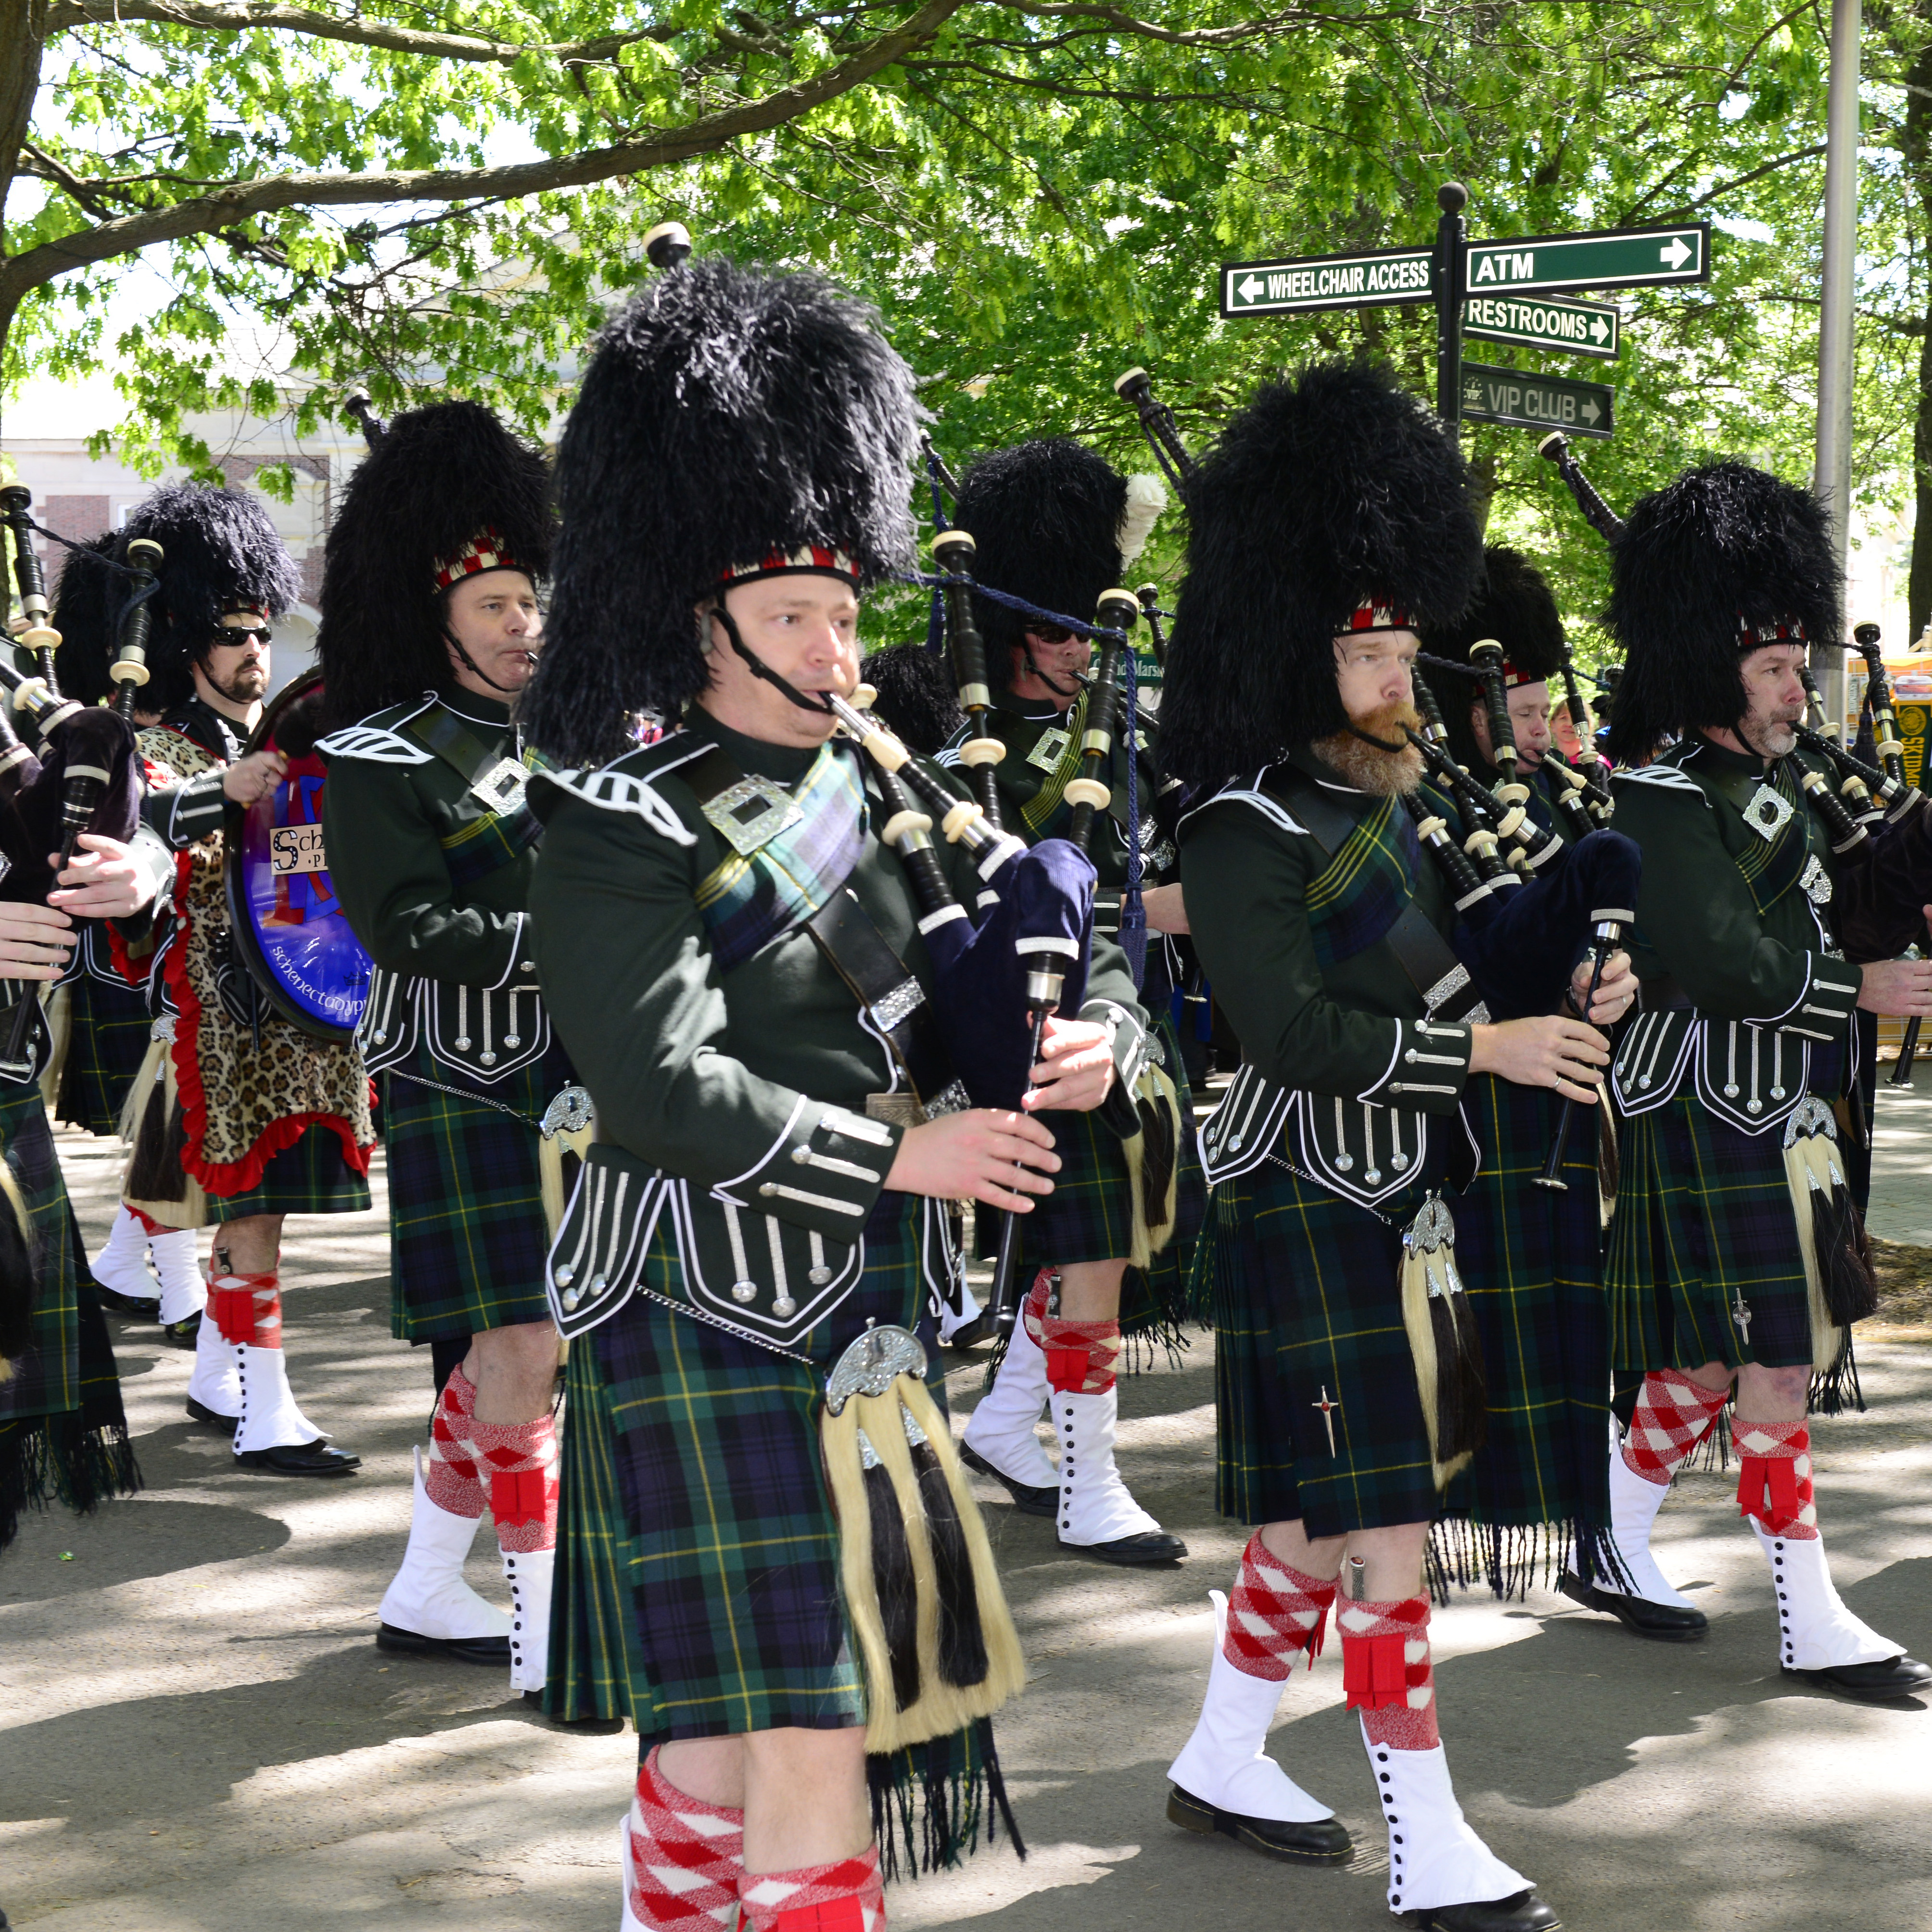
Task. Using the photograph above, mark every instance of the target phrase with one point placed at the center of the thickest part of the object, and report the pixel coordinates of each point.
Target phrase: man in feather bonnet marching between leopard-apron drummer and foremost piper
(430, 633)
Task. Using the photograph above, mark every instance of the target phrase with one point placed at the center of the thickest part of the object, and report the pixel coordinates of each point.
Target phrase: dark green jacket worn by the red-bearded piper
(1346, 1067)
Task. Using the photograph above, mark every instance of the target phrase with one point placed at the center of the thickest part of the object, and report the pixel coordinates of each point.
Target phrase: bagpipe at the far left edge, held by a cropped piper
(82, 772)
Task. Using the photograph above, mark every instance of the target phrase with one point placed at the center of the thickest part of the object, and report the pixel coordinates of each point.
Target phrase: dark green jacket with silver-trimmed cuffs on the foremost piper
(741, 1094)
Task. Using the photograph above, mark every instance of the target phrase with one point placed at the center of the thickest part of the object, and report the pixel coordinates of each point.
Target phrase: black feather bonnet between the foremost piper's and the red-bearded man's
(1046, 526)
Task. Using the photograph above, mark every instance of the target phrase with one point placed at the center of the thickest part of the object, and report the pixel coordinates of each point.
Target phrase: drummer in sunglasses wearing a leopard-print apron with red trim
(241, 1120)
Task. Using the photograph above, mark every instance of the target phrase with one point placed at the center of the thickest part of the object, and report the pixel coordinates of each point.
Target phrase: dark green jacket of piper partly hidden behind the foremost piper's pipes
(1042, 754)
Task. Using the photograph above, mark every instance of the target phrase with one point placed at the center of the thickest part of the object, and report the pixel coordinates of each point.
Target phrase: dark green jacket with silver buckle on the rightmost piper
(1734, 942)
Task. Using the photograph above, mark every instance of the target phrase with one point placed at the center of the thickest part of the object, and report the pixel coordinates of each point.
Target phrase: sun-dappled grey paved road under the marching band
(200, 1736)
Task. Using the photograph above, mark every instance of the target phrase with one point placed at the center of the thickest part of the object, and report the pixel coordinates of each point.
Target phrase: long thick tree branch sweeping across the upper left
(246, 200)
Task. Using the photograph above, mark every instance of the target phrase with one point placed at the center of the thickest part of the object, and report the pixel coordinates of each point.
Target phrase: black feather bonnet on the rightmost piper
(1709, 569)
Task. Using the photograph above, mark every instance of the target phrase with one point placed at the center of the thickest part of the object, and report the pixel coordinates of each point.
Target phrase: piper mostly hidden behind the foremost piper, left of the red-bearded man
(1108, 1257)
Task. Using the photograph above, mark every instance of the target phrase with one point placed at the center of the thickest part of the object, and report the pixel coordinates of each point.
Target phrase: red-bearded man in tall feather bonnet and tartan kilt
(1330, 525)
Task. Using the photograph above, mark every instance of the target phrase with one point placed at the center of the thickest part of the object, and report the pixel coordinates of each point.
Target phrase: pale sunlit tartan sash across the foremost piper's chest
(753, 899)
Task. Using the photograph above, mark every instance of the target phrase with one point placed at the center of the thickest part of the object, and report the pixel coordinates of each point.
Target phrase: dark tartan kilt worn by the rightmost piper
(1703, 1216)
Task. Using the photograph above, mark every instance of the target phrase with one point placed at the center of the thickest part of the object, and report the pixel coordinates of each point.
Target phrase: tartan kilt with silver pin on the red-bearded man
(1307, 1307)
